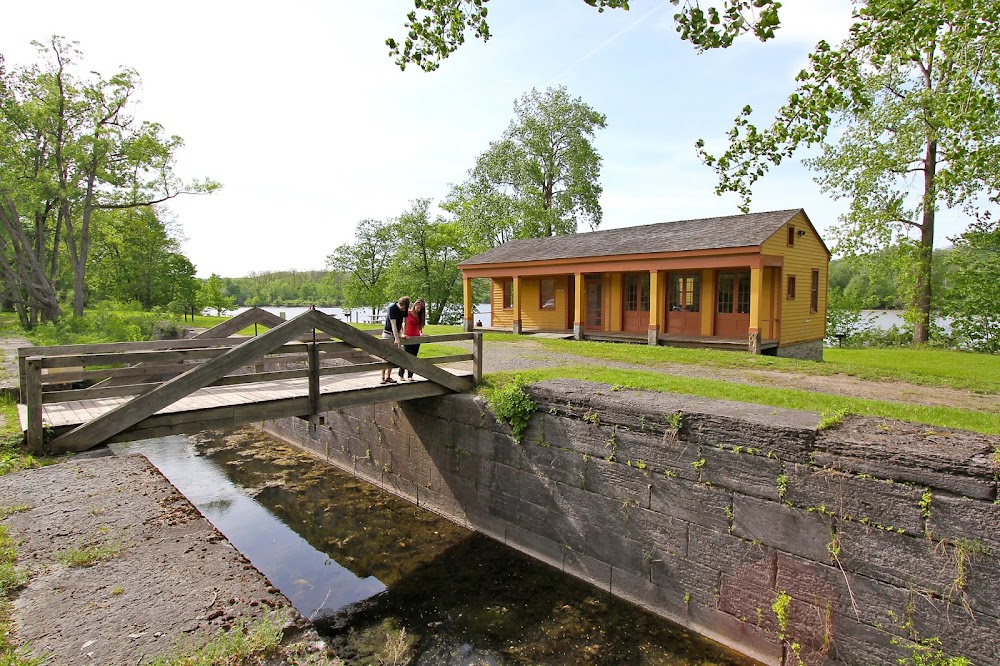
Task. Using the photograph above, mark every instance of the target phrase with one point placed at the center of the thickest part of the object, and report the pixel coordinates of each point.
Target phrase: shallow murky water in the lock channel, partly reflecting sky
(377, 574)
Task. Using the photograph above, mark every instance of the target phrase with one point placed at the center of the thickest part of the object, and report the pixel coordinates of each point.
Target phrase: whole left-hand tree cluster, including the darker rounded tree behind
(81, 181)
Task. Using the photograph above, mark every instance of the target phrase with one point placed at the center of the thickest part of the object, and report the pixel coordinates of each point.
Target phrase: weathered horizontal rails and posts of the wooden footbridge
(138, 367)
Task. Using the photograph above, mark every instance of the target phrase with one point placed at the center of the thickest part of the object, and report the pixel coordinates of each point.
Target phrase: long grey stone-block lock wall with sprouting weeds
(745, 523)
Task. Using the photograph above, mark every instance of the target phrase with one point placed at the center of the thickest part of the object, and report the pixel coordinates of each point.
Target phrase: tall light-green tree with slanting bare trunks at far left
(70, 148)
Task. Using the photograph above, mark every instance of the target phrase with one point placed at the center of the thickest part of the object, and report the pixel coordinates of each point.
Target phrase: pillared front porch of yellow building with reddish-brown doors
(729, 302)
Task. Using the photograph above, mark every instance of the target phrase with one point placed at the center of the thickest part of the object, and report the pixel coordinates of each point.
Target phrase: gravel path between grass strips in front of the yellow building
(527, 354)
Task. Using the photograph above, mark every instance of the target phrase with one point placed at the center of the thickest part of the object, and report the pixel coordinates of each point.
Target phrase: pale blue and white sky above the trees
(298, 111)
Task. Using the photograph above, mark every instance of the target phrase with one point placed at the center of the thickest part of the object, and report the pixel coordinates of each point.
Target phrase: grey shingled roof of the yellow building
(705, 234)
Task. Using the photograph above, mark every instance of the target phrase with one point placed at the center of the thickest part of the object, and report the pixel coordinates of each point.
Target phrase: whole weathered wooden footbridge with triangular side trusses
(301, 367)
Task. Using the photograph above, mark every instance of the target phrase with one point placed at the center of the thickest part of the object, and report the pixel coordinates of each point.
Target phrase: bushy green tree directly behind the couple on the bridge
(426, 265)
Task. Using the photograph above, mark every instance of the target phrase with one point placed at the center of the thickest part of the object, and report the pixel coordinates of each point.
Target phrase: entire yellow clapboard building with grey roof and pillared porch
(756, 282)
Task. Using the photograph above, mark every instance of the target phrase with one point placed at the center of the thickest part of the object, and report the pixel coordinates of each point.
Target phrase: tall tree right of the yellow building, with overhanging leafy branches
(912, 96)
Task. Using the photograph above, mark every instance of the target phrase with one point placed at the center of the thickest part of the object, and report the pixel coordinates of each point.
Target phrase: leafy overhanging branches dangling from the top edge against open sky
(436, 28)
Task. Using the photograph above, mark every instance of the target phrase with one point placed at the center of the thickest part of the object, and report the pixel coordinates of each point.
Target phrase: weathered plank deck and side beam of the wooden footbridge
(229, 406)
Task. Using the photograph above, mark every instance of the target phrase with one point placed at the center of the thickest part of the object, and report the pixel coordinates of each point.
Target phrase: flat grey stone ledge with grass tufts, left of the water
(123, 569)
